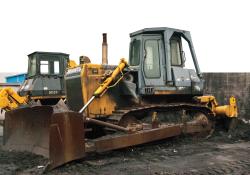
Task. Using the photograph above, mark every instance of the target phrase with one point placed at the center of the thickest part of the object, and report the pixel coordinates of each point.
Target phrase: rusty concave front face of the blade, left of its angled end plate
(27, 129)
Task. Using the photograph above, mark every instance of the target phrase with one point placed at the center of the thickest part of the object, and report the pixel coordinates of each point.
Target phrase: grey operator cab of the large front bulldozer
(158, 57)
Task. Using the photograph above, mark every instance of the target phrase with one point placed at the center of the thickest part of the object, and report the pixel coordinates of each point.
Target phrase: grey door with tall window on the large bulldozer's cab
(152, 62)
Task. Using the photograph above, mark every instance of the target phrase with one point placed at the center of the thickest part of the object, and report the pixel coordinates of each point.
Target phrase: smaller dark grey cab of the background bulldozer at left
(45, 76)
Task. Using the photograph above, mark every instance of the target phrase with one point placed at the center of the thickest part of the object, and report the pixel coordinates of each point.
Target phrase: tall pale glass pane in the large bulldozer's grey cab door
(152, 59)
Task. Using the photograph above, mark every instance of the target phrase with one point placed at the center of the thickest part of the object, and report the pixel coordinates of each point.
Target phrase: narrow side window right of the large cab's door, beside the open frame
(175, 51)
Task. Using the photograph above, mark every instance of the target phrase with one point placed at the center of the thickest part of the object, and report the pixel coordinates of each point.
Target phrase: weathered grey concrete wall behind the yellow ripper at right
(223, 85)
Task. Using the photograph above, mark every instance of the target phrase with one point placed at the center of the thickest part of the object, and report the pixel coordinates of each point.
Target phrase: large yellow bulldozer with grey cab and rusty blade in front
(153, 96)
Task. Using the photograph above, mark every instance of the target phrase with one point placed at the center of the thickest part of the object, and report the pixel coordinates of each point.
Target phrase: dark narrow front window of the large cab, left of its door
(135, 53)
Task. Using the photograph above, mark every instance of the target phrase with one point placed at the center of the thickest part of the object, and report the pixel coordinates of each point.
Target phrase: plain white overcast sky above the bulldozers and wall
(219, 28)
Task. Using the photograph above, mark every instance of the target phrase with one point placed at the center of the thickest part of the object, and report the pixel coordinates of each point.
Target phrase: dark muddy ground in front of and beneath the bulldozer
(223, 153)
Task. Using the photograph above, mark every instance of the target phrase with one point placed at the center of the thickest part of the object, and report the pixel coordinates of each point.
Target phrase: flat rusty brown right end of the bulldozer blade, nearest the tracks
(66, 138)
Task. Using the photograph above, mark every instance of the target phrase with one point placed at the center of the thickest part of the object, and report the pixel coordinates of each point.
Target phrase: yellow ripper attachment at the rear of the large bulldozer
(227, 110)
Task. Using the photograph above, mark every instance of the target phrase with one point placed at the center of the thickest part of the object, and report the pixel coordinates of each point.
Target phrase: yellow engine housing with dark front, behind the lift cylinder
(80, 87)
